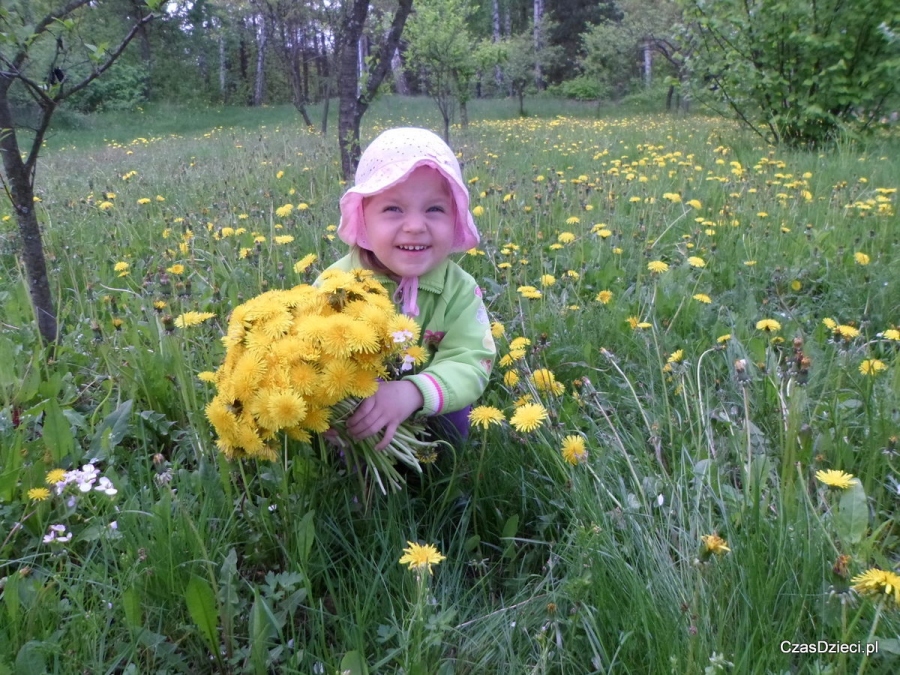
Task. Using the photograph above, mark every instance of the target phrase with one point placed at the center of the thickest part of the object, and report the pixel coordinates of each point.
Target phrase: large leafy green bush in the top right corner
(797, 72)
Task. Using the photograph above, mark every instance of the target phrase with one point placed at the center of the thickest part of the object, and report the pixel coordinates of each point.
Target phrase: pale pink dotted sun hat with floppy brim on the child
(389, 160)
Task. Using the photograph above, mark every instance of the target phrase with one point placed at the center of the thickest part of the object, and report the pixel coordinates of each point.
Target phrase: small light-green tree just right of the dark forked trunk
(442, 51)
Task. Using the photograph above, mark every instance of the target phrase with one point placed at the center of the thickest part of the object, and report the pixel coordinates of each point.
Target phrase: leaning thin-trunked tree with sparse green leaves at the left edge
(35, 59)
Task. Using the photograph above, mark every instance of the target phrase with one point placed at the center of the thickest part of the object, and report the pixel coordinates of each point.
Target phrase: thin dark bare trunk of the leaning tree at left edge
(21, 193)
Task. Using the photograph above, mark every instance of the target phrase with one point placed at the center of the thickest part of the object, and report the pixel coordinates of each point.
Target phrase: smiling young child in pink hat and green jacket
(406, 214)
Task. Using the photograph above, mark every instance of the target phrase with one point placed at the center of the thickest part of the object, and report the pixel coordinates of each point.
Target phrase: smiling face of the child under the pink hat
(410, 226)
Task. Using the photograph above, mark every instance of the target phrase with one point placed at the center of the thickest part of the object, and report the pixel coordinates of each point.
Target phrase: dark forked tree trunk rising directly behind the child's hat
(357, 93)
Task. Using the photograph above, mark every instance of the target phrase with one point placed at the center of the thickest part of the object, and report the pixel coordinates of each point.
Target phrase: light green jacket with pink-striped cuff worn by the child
(455, 329)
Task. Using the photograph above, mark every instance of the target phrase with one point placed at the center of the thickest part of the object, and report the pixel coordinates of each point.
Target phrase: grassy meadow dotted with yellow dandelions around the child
(710, 323)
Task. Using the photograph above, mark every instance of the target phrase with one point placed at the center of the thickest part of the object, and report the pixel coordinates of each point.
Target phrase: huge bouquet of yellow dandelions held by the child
(298, 362)
